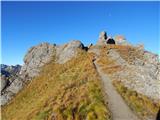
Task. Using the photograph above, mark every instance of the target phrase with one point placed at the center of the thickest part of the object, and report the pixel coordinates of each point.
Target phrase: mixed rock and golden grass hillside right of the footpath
(137, 83)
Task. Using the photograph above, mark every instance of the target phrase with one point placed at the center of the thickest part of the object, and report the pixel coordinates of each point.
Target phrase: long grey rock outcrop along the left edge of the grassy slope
(35, 59)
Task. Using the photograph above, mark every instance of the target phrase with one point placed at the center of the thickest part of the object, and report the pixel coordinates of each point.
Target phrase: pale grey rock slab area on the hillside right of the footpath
(143, 76)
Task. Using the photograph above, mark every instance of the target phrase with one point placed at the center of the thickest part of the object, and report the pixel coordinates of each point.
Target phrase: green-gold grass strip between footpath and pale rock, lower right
(140, 104)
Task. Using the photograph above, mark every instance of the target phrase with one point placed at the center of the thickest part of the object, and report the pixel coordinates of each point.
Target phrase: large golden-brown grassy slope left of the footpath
(72, 91)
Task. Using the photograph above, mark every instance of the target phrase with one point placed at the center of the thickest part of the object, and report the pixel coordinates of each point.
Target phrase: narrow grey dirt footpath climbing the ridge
(119, 109)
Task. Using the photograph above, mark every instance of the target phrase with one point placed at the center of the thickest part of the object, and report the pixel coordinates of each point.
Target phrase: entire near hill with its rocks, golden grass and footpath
(75, 82)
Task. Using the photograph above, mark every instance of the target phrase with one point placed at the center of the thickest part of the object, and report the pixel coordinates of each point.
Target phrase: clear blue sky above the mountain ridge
(25, 24)
